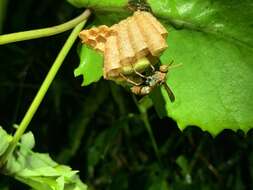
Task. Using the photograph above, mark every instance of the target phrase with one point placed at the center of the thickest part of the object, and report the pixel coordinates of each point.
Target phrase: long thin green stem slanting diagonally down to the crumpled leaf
(43, 89)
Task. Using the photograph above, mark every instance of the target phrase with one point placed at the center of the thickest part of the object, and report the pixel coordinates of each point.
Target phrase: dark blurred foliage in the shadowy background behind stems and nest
(99, 129)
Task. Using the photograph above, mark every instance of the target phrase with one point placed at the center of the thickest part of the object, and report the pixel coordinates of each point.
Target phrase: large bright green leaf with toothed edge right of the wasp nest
(213, 88)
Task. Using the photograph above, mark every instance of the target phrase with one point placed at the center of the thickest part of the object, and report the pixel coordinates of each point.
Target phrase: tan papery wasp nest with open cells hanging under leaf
(124, 43)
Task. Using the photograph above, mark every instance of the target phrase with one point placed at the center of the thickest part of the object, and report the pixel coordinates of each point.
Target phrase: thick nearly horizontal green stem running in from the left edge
(44, 32)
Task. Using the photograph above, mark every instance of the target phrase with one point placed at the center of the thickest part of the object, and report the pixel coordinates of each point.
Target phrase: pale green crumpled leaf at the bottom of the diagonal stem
(38, 170)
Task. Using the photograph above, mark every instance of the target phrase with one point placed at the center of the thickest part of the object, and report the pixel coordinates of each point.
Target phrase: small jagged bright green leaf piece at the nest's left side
(91, 65)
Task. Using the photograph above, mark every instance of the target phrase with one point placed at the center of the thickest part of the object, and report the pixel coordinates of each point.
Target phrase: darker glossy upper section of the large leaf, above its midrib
(210, 17)
